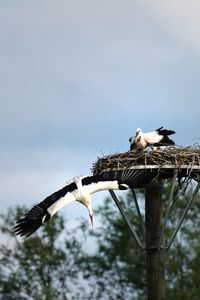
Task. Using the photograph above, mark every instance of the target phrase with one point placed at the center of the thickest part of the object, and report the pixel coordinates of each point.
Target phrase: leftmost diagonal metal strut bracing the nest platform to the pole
(126, 219)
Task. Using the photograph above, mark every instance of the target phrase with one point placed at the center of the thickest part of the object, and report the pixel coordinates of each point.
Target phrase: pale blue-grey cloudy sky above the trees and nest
(78, 77)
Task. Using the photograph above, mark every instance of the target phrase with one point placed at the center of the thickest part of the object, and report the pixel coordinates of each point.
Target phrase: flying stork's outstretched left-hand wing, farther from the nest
(43, 211)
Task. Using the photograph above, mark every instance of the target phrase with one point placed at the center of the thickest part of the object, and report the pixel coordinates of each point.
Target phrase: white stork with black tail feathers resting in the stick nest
(156, 138)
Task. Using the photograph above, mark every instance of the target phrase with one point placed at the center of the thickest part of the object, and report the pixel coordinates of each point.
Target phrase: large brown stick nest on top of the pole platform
(151, 163)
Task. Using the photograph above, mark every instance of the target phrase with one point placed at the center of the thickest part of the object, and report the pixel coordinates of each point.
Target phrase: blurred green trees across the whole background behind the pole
(53, 265)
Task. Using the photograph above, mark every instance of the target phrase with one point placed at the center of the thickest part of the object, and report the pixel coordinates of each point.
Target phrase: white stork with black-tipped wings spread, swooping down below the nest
(80, 189)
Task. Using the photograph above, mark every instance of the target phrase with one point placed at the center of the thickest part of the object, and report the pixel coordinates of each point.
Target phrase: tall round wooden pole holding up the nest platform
(154, 253)
